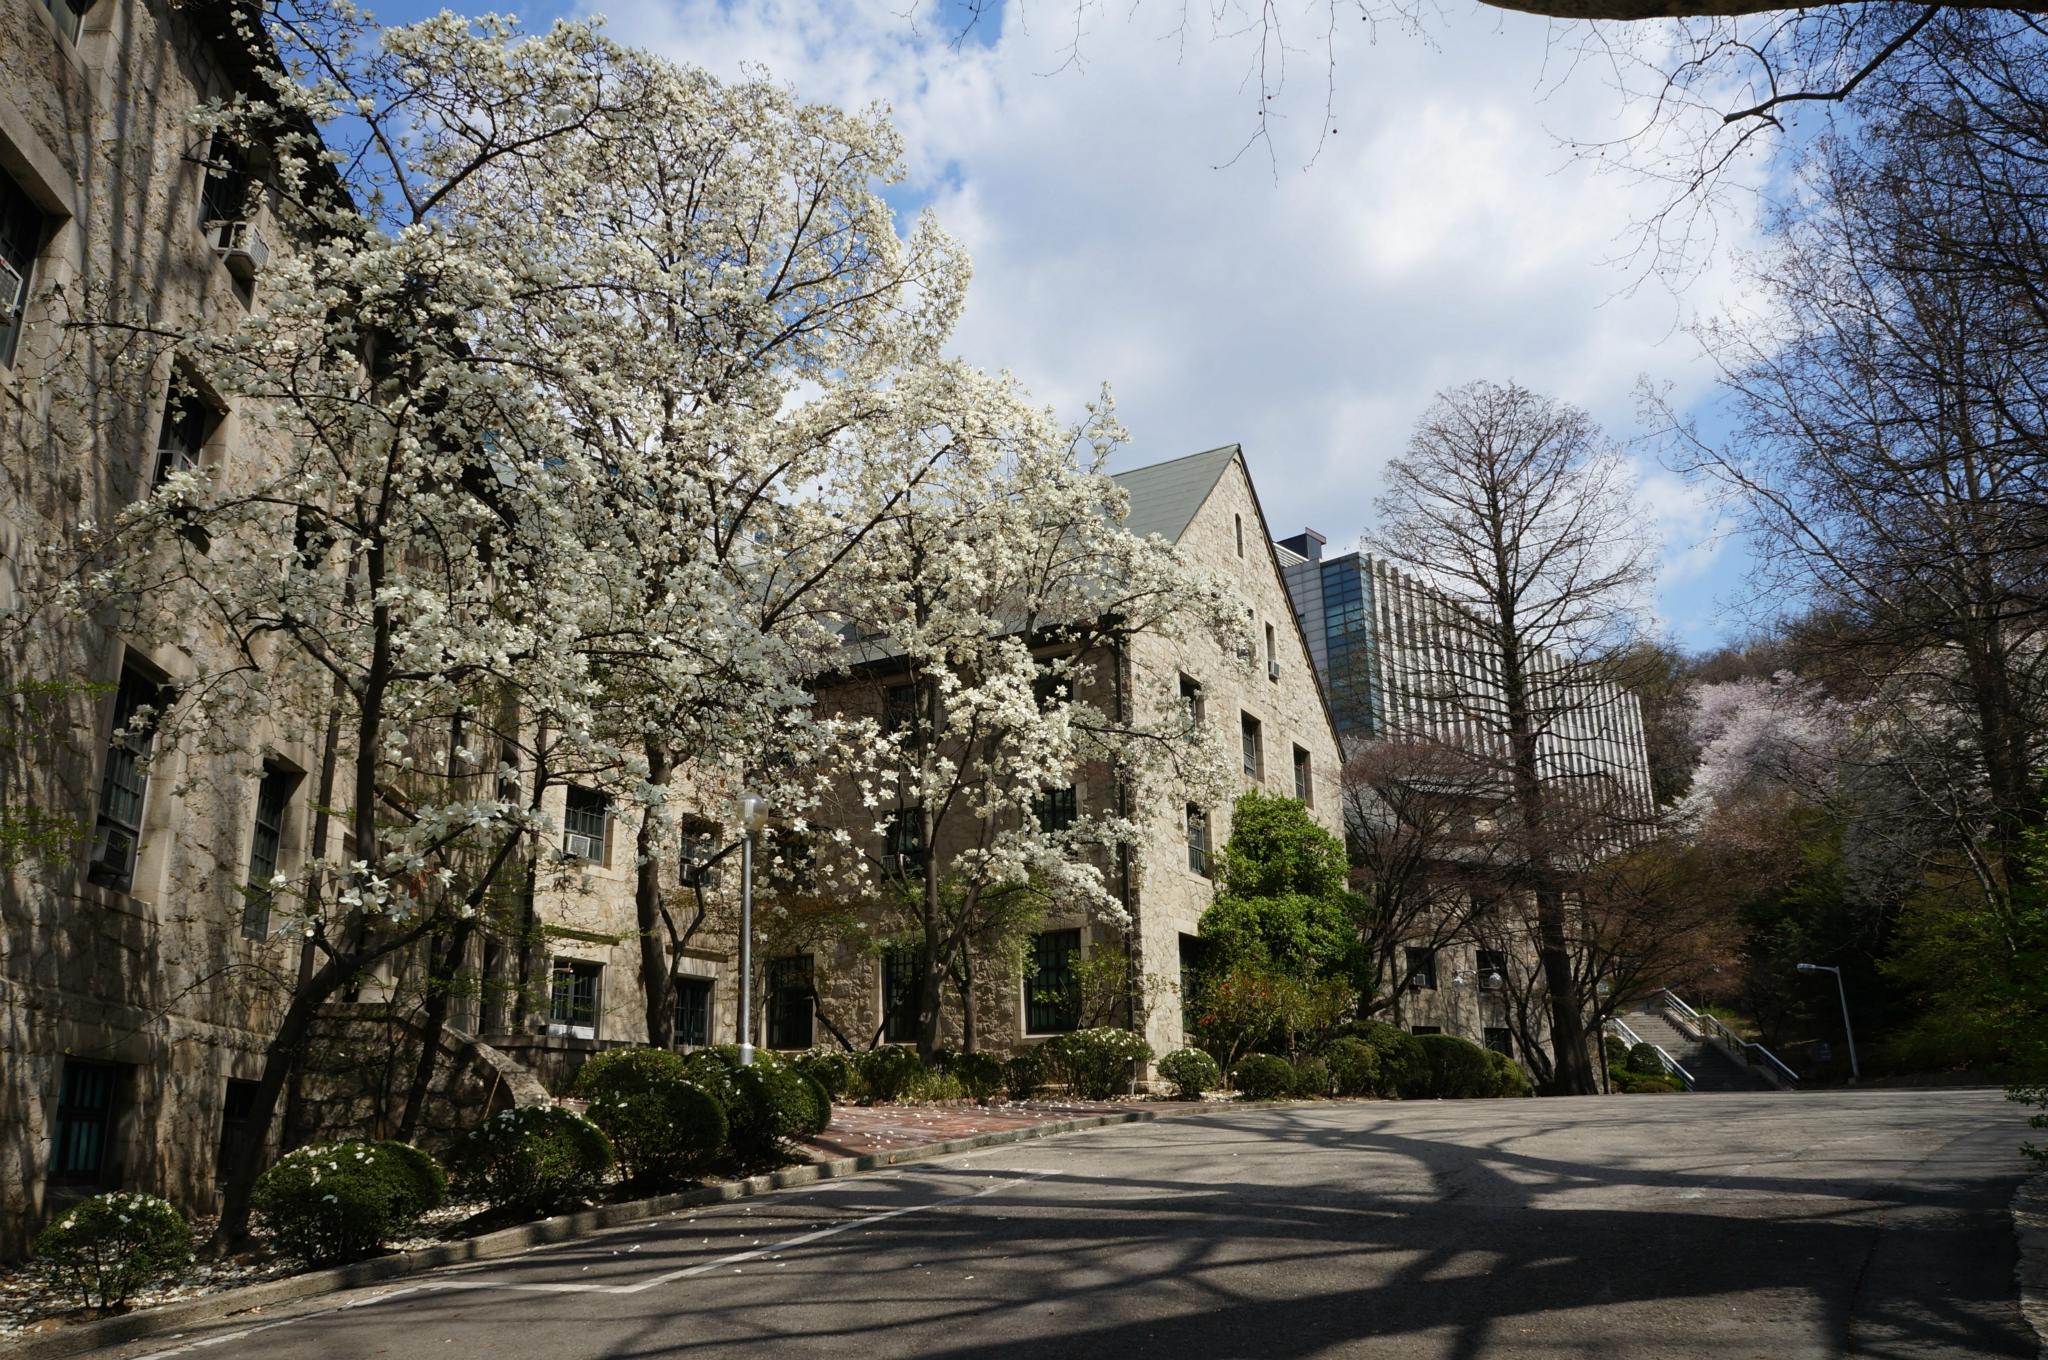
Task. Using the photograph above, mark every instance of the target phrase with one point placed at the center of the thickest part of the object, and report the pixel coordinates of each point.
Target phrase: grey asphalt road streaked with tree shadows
(1869, 1224)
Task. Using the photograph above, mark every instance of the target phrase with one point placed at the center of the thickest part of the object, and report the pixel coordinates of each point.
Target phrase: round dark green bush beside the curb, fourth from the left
(663, 1123)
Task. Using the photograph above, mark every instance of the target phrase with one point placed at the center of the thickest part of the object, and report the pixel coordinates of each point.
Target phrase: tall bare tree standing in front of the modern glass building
(1521, 519)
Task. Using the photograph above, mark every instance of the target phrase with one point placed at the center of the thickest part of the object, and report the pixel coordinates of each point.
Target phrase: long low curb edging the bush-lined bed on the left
(97, 1334)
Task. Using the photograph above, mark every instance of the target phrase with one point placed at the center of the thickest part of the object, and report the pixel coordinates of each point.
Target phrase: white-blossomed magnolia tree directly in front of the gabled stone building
(988, 624)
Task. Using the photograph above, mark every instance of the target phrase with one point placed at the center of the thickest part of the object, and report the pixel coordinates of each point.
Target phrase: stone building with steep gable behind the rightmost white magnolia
(1267, 710)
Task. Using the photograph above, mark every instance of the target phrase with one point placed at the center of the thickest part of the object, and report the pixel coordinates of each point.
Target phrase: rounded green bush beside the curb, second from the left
(341, 1201)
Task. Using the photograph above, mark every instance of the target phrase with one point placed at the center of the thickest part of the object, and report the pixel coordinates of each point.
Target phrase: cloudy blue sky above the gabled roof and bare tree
(1304, 302)
